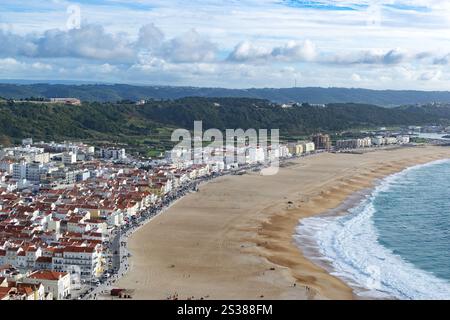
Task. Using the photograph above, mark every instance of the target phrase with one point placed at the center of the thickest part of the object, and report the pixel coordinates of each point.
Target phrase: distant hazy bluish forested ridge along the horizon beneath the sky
(113, 93)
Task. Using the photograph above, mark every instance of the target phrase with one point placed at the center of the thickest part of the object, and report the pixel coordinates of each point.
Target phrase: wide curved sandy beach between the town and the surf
(233, 238)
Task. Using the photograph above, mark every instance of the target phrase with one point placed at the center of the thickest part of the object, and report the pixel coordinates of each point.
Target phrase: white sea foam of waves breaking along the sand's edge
(348, 247)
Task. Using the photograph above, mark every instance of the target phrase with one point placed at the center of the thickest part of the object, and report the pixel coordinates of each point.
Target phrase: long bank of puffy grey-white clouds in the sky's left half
(92, 42)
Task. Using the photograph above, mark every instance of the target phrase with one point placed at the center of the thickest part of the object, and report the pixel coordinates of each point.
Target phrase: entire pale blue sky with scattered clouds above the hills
(377, 44)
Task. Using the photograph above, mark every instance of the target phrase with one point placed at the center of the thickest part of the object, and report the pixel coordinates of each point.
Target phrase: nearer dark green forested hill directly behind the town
(129, 122)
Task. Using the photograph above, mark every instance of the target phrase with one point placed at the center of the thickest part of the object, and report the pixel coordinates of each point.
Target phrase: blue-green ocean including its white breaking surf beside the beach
(395, 243)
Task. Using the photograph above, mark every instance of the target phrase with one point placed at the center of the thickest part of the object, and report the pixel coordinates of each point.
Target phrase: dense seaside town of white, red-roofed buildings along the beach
(66, 209)
